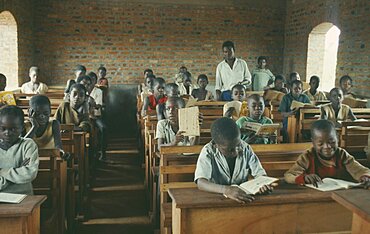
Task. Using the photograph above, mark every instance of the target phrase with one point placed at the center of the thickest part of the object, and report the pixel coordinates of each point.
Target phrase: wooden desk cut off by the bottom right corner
(358, 202)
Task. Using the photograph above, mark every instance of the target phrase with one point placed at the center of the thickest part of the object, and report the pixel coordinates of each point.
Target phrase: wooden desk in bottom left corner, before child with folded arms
(21, 218)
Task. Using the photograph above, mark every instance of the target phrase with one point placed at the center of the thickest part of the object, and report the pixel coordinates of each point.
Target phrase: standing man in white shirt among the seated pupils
(230, 72)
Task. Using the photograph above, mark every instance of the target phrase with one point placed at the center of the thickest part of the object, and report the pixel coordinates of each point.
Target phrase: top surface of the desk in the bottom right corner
(356, 200)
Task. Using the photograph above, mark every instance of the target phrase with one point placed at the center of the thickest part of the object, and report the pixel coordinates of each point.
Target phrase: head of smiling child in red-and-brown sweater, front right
(324, 138)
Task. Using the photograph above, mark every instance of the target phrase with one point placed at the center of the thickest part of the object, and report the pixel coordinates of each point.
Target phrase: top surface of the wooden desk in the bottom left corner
(22, 209)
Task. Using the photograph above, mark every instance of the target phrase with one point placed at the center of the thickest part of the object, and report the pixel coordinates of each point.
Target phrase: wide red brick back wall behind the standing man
(133, 36)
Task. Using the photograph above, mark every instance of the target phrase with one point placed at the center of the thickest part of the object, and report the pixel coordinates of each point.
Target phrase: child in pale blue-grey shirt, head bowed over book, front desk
(227, 160)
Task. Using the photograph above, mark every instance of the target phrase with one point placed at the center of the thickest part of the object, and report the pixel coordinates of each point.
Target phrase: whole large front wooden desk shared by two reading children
(289, 209)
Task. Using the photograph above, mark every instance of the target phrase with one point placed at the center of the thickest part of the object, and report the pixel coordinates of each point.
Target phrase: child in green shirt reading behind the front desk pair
(256, 107)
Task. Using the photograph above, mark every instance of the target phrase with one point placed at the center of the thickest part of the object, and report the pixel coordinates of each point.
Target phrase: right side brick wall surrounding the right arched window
(350, 16)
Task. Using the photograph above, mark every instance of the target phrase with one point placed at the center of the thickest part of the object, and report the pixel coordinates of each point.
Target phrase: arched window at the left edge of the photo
(9, 49)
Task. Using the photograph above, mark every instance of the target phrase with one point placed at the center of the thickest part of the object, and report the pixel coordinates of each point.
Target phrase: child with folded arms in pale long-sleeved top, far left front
(19, 159)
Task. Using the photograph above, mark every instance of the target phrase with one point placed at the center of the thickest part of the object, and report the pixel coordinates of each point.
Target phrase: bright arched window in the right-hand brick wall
(322, 51)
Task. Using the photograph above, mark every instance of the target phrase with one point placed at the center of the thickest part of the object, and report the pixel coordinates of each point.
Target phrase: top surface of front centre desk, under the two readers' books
(283, 194)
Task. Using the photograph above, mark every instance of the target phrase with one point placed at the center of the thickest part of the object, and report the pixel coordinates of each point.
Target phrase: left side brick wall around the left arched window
(22, 11)
